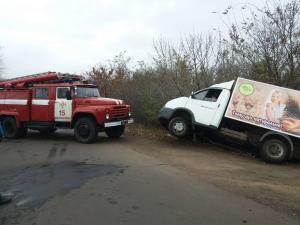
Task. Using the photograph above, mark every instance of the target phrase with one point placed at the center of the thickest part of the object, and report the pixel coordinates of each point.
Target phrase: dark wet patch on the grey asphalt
(33, 185)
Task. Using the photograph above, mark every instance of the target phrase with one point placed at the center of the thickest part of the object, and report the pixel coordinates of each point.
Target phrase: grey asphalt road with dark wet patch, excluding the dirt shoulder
(56, 180)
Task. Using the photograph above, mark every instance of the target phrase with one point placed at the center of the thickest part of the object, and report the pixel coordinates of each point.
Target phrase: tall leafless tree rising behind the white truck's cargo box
(270, 41)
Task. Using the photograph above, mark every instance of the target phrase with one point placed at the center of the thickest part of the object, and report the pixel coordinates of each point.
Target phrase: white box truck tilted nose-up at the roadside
(241, 111)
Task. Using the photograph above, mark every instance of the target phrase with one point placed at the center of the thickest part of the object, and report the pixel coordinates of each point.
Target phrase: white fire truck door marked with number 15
(63, 105)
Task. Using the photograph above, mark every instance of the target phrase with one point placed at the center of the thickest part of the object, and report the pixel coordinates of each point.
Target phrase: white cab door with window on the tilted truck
(208, 106)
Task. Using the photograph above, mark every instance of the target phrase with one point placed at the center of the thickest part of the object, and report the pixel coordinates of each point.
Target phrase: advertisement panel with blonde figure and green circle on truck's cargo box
(265, 105)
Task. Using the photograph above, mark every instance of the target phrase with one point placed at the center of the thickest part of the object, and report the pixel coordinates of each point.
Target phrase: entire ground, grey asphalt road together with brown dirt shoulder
(137, 180)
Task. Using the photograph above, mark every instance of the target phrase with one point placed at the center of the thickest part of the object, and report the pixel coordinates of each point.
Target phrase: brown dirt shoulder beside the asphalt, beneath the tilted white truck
(277, 186)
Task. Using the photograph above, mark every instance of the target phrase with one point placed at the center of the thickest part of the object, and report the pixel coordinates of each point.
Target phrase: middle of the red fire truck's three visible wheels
(85, 130)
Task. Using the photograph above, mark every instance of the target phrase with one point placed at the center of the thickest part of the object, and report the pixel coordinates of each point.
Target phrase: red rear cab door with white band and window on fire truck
(40, 104)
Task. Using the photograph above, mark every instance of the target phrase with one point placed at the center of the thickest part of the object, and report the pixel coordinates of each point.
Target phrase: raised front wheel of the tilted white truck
(179, 127)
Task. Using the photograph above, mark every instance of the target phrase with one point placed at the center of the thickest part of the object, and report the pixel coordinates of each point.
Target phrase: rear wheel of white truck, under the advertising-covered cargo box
(274, 151)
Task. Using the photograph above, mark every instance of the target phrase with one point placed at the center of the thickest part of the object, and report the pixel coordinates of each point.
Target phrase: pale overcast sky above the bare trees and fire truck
(73, 35)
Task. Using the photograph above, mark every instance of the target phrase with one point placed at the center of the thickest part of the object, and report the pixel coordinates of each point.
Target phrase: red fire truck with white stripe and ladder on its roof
(51, 100)
